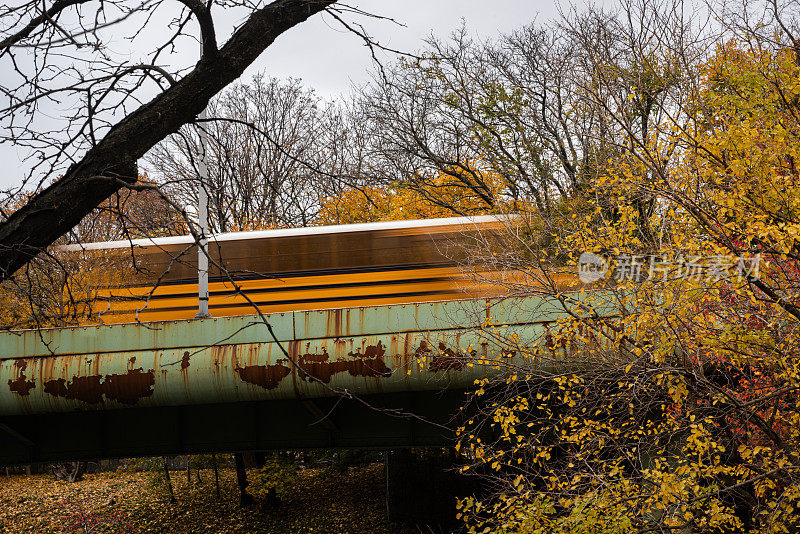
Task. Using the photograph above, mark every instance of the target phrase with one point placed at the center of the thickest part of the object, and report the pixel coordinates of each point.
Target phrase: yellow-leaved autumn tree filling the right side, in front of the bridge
(666, 396)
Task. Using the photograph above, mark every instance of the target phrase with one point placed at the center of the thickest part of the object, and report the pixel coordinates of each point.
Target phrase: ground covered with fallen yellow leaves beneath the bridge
(316, 501)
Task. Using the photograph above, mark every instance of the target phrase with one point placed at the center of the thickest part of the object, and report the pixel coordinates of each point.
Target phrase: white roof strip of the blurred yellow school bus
(308, 230)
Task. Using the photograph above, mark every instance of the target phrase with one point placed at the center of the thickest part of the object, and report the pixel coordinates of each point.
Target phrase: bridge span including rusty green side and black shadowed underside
(226, 384)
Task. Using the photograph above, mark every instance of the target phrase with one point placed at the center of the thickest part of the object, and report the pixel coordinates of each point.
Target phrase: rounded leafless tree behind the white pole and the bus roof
(271, 153)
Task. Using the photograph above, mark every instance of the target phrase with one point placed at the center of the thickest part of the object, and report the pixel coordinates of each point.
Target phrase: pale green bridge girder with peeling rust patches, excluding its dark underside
(382, 349)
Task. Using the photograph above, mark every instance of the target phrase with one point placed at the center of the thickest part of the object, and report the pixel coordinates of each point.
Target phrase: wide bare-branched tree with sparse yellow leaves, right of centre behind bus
(525, 119)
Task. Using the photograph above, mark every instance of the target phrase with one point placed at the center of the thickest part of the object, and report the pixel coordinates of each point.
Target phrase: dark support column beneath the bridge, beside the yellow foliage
(422, 487)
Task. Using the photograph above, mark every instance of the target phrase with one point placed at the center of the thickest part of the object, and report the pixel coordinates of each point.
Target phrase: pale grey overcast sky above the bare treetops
(326, 56)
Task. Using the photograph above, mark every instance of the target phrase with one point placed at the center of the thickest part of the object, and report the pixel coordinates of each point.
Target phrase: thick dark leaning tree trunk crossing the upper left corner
(111, 164)
